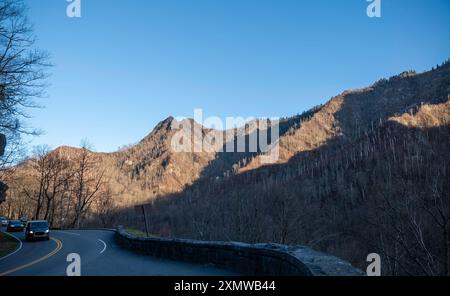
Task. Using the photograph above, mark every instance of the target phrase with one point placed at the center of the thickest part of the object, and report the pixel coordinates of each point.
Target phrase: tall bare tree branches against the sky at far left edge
(22, 79)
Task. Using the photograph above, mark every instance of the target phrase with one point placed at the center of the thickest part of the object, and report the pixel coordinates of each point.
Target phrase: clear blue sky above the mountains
(126, 65)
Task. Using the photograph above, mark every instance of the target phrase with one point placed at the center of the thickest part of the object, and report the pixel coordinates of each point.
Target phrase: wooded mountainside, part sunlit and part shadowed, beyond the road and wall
(366, 172)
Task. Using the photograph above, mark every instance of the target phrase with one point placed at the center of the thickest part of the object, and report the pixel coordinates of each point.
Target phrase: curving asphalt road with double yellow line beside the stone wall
(100, 256)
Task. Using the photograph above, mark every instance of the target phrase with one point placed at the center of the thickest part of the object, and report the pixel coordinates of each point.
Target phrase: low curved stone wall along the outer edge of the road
(247, 259)
